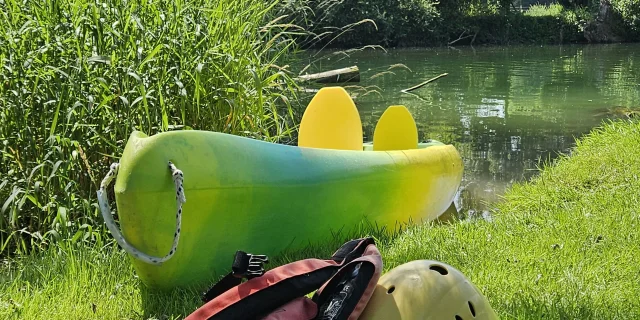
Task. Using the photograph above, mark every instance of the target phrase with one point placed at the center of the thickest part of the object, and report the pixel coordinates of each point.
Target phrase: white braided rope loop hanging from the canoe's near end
(103, 202)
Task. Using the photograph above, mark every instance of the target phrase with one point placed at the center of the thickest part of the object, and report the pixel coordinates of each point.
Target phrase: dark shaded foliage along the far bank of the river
(433, 23)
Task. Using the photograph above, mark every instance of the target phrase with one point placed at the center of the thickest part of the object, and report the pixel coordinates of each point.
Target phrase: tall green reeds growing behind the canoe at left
(78, 76)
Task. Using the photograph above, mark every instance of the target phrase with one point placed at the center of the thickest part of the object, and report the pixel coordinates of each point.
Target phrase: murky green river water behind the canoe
(505, 109)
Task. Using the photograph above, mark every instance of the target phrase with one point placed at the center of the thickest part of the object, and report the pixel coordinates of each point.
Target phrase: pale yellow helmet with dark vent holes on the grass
(426, 289)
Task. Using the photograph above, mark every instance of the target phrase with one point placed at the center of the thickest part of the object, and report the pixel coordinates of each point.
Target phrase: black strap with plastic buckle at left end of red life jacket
(245, 266)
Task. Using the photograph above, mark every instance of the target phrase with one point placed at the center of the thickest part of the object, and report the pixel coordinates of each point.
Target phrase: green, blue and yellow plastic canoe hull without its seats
(260, 197)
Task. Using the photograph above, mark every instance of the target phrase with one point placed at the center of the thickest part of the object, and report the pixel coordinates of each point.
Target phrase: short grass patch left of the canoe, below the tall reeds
(83, 283)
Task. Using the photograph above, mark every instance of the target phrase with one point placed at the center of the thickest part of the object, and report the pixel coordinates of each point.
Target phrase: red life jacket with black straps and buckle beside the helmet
(344, 286)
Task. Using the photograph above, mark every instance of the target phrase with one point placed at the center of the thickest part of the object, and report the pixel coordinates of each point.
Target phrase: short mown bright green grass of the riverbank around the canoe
(562, 246)
